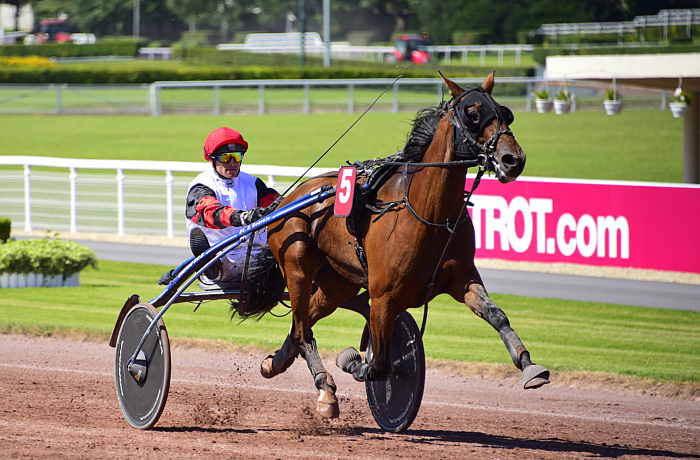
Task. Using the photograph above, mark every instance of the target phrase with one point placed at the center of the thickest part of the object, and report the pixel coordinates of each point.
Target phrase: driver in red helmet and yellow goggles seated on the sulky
(220, 201)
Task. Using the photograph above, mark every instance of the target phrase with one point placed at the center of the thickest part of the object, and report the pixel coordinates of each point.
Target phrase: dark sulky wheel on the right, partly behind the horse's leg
(395, 402)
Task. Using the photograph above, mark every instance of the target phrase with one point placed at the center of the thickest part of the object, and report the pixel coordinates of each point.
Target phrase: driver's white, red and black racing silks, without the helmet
(211, 203)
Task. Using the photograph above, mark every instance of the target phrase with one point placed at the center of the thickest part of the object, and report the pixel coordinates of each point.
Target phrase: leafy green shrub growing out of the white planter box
(48, 256)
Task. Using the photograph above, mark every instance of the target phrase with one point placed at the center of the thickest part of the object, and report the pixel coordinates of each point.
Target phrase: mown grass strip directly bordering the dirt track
(561, 335)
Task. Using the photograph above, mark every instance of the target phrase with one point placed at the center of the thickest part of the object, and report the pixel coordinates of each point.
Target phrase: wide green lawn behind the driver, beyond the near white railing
(584, 145)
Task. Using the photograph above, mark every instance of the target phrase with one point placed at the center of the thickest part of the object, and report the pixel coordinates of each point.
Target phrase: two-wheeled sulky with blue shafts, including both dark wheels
(142, 377)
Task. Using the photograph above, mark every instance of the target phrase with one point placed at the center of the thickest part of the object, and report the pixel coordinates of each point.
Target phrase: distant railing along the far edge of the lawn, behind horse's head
(225, 97)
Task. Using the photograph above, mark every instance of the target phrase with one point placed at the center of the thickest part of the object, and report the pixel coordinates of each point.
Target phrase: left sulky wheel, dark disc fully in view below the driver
(143, 391)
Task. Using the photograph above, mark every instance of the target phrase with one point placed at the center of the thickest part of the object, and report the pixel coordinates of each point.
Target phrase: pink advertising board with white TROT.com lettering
(604, 223)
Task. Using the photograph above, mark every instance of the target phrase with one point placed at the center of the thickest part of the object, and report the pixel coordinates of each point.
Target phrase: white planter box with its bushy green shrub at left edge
(43, 263)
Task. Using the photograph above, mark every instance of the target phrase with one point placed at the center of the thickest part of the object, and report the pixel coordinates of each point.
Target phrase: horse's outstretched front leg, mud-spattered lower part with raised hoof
(478, 300)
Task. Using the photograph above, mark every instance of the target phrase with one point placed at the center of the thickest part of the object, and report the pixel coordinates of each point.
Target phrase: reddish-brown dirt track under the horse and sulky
(59, 400)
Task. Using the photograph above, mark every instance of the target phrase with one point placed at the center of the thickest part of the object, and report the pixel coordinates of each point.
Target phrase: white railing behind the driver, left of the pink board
(45, 193)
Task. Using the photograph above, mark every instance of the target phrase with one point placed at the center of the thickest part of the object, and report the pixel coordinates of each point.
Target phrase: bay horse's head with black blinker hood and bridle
(481, 130)
